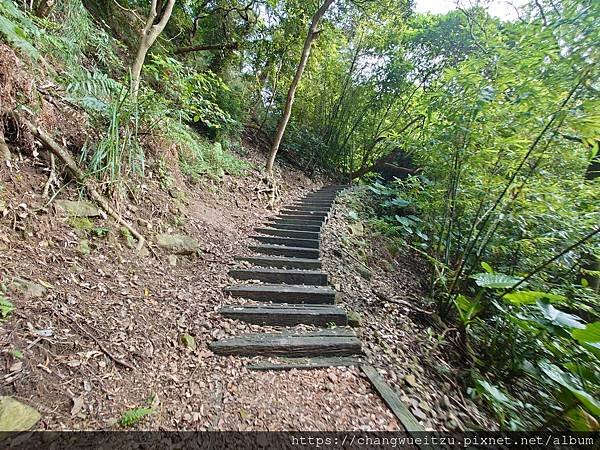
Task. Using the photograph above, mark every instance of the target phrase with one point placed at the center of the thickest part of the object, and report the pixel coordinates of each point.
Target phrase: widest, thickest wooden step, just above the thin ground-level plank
(335, 342)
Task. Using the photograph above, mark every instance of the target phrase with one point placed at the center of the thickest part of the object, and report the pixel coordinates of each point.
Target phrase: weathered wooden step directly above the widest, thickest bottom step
(287, 315)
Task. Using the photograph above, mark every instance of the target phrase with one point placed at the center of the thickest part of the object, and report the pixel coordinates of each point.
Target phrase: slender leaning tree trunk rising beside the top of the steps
(287, 111)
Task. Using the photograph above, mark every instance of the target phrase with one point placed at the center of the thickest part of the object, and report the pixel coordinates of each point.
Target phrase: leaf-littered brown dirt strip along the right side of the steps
(388, 291)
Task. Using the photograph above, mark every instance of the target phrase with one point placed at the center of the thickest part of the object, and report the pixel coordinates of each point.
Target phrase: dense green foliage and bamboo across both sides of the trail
(492, 128)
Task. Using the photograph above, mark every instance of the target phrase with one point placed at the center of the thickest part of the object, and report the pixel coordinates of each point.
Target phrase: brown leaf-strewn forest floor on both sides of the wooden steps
(100, 332)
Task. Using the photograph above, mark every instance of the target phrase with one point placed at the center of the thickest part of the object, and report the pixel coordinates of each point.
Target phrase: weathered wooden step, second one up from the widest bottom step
(284, 293)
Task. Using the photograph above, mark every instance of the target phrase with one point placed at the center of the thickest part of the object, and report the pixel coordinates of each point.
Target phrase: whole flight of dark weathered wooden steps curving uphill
(289, 289)
